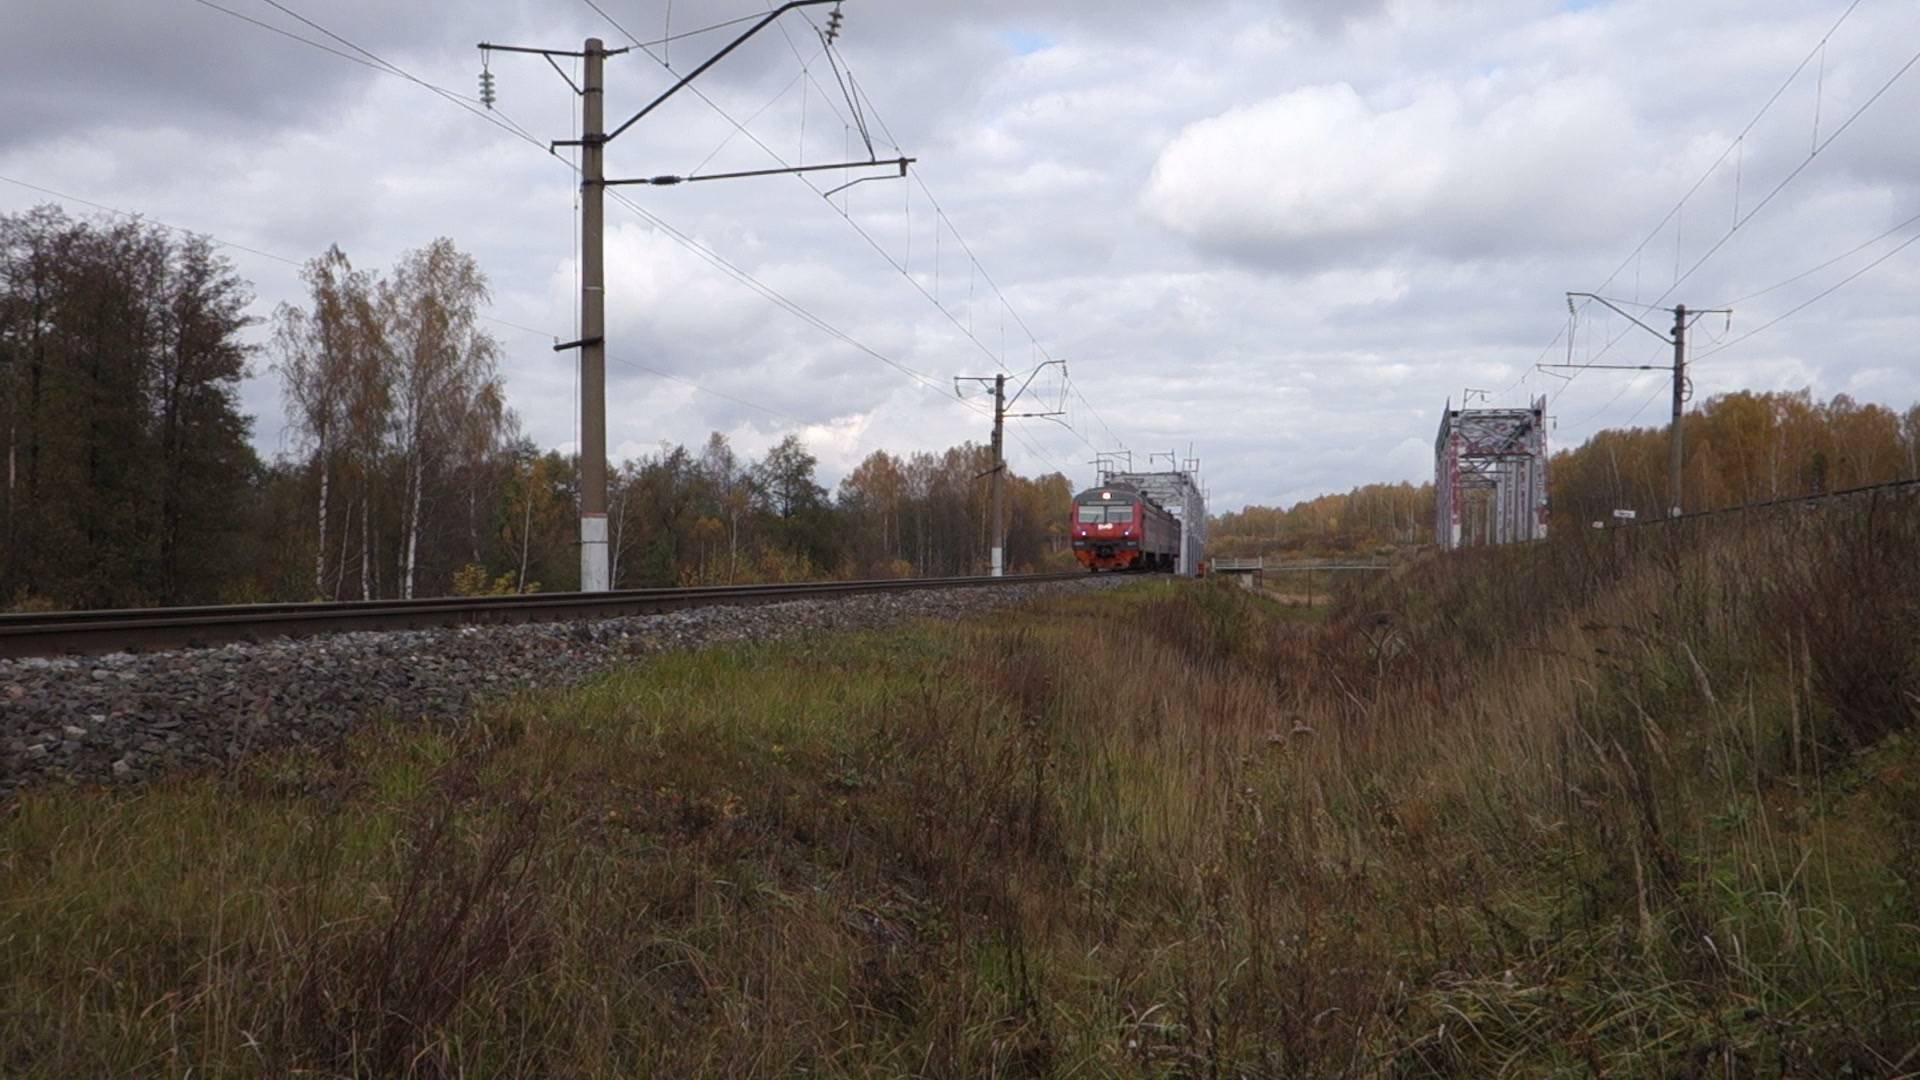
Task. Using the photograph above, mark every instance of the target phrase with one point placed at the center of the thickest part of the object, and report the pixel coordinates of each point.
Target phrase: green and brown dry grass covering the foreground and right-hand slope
(1652, 818)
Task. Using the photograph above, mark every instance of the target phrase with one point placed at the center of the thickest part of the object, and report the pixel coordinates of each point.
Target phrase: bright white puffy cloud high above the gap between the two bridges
(1324, 174)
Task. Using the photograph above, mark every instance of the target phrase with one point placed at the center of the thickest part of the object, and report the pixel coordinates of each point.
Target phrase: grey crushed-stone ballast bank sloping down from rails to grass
(128, 718)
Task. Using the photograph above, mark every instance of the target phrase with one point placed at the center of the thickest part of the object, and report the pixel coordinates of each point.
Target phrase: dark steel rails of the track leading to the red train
(145, 629)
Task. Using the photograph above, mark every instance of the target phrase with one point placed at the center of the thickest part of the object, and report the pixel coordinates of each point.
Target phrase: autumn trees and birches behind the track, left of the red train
(132, 476)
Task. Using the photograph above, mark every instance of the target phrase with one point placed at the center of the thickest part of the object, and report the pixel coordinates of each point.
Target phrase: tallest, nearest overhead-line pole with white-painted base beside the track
(594, 572)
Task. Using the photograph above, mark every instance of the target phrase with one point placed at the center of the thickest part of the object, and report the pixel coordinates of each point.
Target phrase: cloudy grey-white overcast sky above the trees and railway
(1280, 233)
